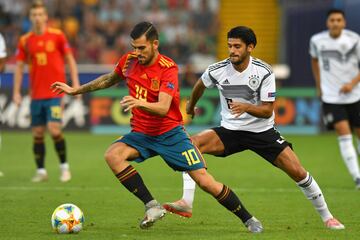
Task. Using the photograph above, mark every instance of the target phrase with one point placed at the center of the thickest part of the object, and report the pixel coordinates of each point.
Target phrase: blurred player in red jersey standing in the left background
(45, 50)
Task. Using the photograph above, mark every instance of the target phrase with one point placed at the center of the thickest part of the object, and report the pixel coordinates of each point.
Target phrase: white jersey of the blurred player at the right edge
(339, 63)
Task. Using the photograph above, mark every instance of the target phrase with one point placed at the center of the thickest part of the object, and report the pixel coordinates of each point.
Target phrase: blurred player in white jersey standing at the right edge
(335, 62)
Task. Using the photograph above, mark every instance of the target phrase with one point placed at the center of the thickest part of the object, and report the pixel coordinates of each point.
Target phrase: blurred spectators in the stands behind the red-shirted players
(98, 30)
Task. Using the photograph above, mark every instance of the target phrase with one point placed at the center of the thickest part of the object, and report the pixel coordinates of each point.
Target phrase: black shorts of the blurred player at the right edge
(333, 113)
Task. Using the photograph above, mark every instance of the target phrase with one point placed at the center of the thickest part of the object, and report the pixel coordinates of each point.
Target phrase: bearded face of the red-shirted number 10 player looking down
(145, 49)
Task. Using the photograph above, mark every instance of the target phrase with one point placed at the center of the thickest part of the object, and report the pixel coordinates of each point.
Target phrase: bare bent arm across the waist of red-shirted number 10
(161, 107)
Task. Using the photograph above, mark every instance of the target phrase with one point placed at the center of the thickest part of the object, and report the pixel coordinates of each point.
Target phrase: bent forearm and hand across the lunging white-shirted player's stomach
(264, 110)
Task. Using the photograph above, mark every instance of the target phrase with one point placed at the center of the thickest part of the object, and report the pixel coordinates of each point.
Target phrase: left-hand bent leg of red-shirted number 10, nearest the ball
(117, 157)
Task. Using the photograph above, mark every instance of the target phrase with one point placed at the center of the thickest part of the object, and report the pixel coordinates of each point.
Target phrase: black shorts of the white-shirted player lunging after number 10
(268, 144)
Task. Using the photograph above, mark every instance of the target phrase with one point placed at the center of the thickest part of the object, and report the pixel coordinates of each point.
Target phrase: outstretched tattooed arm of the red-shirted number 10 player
(104, 81)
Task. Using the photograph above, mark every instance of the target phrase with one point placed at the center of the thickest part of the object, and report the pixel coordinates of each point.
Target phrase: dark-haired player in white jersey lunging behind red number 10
(247, 92)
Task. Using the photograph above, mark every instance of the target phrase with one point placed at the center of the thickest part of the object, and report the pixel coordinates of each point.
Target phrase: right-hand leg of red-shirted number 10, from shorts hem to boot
(226, 197)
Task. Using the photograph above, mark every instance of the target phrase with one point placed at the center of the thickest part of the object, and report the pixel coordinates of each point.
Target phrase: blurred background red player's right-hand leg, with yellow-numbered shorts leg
(54, 125)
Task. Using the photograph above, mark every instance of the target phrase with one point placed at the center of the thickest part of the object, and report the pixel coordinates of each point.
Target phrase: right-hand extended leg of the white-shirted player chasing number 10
(289, 163)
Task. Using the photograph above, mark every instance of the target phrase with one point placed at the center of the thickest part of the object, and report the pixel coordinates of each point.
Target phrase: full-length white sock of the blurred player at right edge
(349, 155)
